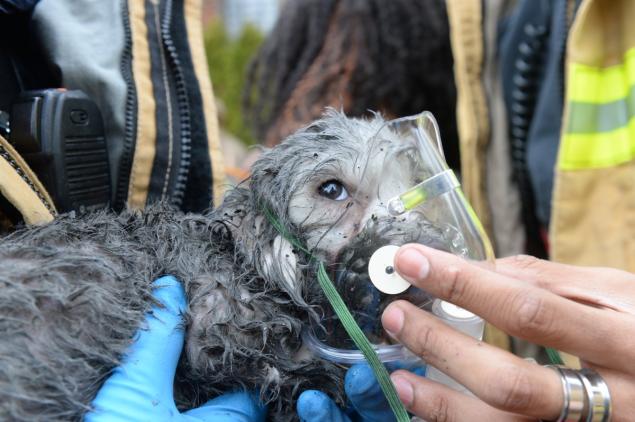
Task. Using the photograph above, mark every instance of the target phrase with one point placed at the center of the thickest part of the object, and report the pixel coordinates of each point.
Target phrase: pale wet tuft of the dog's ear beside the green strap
(279, 265)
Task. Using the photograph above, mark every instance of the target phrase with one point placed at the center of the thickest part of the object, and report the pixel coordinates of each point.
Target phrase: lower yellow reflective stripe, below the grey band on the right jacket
(597, 150)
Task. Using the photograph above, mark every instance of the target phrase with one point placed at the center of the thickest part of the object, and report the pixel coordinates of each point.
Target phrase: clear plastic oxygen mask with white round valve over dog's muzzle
(417, 199)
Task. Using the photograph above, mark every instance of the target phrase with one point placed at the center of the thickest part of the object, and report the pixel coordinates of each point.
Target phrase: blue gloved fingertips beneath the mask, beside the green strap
(367, 401)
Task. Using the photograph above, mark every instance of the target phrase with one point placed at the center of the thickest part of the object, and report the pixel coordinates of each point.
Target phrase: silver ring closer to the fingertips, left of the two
(576, 403)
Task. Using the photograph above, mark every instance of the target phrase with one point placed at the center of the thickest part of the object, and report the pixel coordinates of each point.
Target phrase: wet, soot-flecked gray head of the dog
(330, 184)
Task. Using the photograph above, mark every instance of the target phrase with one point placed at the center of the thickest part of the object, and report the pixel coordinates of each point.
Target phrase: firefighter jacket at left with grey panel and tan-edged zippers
(143, 63)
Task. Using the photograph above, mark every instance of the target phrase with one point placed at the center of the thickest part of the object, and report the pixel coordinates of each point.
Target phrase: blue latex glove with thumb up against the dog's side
(141, 388)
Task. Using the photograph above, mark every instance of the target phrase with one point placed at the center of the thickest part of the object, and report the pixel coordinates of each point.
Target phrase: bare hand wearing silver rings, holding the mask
(588, 312)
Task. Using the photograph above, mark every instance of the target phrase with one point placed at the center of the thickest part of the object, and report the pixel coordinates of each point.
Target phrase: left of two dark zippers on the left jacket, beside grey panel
(130, 117)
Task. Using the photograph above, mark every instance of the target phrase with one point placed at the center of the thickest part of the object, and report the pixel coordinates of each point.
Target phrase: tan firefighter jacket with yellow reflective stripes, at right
(569, 129)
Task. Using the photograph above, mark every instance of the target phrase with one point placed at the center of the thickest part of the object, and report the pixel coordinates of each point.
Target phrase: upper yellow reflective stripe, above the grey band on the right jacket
(591, 84)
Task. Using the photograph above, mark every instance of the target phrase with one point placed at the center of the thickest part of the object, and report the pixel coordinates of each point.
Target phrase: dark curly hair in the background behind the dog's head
(392, 56)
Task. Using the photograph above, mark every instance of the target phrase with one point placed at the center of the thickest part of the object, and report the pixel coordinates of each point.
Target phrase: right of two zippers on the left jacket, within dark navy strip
(182, 102)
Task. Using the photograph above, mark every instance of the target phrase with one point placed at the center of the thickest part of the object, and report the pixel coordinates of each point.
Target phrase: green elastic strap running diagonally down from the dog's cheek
(348, 322)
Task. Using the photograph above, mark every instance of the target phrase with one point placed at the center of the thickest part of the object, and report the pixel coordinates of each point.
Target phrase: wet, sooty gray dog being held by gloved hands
(74, 292)
